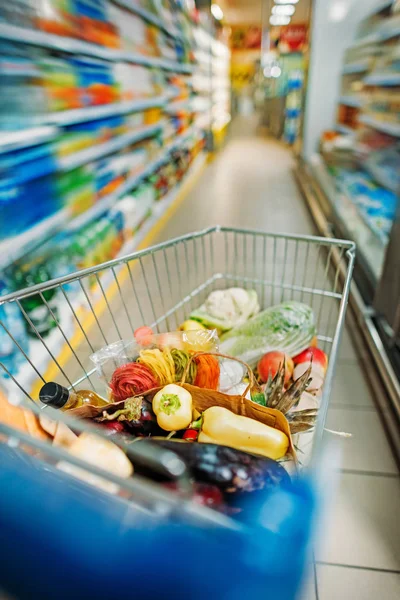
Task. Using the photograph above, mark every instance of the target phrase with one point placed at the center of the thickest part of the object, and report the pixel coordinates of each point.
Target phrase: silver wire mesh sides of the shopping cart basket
(160, 287)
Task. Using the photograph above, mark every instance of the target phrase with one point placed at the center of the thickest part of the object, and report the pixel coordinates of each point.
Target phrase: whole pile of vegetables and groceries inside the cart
(227, 393)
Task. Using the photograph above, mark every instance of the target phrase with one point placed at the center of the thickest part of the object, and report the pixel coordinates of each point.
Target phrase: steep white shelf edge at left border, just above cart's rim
(13, 248)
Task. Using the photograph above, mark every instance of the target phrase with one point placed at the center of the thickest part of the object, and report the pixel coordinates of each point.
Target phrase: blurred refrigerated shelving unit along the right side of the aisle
(350, 166)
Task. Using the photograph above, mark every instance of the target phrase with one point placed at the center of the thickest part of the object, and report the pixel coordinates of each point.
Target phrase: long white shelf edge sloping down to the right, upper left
(72, 46)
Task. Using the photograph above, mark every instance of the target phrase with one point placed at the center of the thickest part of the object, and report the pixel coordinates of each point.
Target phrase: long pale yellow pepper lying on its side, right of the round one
(221, 426)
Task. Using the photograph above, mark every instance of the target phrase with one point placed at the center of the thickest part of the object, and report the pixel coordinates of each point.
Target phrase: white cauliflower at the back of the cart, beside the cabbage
(225, 309)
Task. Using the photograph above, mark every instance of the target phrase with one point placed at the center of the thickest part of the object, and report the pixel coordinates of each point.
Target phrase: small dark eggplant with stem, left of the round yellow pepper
(137, 417)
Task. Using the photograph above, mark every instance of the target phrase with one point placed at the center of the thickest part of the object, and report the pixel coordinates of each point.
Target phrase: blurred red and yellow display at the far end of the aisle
(269, 68)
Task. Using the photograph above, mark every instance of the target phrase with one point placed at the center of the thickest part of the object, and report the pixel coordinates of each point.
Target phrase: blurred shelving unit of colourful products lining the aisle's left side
(105, 110)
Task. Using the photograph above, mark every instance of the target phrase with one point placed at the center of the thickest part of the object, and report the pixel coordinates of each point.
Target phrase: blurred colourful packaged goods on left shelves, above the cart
(85, 92)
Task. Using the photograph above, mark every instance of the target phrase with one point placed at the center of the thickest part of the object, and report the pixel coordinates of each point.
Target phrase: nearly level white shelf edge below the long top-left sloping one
(92, 113)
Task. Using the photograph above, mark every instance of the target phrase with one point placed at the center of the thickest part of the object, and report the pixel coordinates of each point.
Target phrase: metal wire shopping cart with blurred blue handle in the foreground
(159, 287)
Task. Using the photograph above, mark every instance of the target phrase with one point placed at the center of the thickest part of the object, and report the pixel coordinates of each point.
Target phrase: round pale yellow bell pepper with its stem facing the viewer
(173, 407)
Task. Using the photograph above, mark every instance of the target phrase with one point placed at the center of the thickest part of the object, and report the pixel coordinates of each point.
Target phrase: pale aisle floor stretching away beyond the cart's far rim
(249, 184)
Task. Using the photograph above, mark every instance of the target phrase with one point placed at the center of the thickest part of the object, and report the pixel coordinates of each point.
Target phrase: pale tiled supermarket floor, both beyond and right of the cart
(250, 184)
